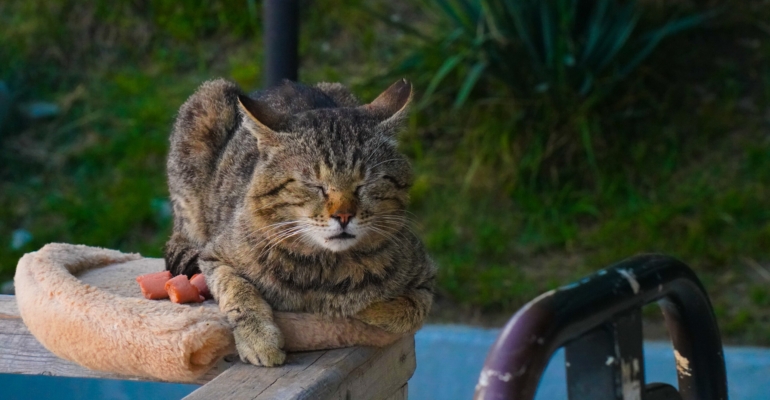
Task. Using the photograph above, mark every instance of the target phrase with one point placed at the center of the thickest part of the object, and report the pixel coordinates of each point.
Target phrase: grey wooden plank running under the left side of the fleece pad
(21, 353)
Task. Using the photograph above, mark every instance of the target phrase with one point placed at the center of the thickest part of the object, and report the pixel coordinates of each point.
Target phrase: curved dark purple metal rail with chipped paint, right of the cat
(598, 320)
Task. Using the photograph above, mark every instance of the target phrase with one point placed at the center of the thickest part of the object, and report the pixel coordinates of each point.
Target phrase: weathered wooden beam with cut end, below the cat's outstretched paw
(351, 373)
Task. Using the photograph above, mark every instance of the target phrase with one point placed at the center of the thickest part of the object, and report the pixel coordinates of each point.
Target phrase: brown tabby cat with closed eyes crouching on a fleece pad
(293, 199)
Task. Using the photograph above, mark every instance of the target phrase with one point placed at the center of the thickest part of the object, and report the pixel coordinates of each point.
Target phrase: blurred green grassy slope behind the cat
(677, 161)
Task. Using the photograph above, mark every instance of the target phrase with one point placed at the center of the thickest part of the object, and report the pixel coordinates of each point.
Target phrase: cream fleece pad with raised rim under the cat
(83, 304)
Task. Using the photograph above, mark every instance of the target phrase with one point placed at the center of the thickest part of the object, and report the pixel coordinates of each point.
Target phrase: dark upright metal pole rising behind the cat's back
(281, 41)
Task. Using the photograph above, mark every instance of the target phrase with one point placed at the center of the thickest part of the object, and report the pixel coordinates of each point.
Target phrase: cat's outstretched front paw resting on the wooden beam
(260, 344)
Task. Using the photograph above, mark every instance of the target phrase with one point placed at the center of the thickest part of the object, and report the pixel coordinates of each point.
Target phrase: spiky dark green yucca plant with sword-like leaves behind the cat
(558, 48)
